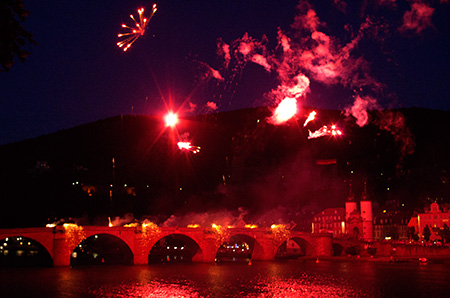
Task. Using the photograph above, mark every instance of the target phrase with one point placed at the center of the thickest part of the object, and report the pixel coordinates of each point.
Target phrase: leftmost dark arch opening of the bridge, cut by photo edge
(24, 252)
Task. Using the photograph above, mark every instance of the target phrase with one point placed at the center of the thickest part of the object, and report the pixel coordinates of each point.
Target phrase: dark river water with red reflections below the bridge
(290, 278)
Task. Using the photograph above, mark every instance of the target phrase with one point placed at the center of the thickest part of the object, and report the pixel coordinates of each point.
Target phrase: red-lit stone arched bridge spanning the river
(60, 241)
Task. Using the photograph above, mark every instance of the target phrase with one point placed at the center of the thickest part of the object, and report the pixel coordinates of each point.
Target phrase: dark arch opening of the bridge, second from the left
(102, 248)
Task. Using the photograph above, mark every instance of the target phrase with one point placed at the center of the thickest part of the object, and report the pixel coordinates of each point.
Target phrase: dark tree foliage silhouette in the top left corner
(13, 37)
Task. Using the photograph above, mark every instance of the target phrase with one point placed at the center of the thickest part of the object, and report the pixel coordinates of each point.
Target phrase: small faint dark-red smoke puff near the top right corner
(418, 18)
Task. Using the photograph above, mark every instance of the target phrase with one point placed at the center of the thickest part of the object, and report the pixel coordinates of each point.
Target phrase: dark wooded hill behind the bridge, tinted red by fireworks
(244, 162)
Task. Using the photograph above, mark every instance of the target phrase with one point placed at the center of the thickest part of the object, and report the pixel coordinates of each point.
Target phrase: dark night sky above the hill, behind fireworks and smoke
(77, 74)
